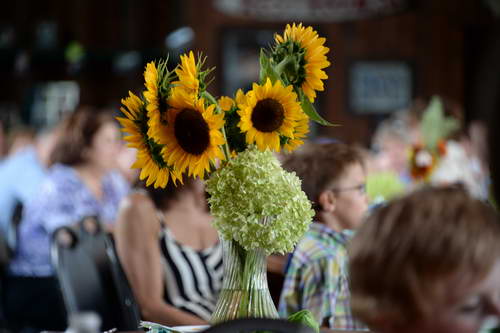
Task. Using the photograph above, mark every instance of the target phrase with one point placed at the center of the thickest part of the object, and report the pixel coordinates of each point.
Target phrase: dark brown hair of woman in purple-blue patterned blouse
(77, 133)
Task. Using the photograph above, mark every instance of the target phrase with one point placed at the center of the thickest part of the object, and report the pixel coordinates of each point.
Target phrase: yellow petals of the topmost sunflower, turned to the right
(314, 58)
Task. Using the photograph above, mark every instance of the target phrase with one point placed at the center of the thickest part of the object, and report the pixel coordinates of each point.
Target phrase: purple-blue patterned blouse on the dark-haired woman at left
(63, 199)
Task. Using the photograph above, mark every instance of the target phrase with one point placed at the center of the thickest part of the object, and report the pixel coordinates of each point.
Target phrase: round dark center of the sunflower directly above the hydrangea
(268, 115)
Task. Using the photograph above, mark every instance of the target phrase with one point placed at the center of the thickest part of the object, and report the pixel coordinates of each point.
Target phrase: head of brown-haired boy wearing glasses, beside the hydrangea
(333, 178)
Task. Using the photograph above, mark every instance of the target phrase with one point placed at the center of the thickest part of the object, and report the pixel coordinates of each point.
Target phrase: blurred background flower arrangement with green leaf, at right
(435, 128)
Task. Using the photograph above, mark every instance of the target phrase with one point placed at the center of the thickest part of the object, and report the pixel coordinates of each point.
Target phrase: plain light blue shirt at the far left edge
(20, 178)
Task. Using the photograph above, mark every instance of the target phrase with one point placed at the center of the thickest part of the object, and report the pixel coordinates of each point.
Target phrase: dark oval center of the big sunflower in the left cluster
(191, 131)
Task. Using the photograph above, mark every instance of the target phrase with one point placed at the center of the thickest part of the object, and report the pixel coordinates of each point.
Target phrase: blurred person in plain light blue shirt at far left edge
(22, 172)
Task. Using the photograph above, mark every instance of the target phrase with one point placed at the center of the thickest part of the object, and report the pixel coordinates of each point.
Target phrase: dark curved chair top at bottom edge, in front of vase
(253, 324)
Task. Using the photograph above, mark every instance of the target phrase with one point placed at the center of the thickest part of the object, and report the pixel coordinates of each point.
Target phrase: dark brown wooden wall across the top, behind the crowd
(431, 34)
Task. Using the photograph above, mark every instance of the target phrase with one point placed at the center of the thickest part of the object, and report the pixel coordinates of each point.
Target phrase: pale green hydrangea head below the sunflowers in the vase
(258, 204)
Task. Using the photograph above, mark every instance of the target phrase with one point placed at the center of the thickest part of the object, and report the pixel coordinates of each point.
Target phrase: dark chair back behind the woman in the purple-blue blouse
(90, 276)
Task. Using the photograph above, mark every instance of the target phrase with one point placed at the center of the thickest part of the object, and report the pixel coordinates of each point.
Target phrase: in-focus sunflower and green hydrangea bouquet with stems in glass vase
(179, 128)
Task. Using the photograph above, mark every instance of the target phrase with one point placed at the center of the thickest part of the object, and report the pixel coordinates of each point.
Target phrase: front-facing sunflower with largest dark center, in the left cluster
(193, 137)
